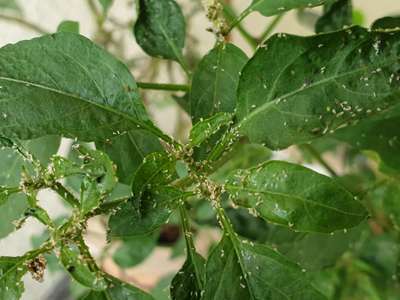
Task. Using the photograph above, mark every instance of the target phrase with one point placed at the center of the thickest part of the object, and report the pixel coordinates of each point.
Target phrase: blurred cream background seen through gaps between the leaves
(148, 269)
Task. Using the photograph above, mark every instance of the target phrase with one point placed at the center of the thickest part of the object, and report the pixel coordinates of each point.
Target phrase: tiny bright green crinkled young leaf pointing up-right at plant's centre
(204, 129)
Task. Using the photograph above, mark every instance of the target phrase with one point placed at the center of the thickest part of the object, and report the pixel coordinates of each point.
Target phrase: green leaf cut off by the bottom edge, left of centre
(118, 290)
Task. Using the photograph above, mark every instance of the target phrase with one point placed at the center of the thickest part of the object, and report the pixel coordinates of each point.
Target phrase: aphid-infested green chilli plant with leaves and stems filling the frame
(286, 231)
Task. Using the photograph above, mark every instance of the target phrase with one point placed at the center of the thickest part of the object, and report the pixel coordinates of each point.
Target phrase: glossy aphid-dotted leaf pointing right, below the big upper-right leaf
(297, 197)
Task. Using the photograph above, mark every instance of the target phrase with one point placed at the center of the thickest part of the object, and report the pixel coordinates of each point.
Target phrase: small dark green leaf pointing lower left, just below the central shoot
(142, 216)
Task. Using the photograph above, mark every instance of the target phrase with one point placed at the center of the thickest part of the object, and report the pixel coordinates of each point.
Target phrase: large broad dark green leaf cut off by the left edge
(77, 79)
